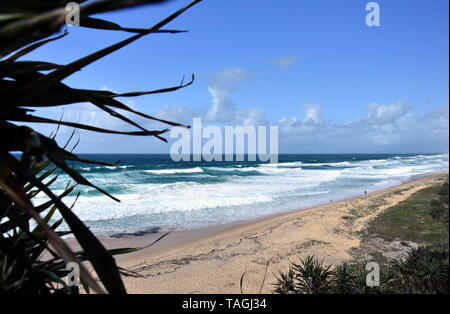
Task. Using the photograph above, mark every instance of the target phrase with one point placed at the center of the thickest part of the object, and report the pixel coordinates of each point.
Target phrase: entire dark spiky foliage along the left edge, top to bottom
(27, 85)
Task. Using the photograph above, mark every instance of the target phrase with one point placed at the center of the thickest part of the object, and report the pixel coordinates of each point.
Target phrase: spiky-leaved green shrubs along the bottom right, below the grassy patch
(423, 270)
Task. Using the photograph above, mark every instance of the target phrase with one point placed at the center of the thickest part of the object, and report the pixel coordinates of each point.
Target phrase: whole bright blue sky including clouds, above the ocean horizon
(313, 68)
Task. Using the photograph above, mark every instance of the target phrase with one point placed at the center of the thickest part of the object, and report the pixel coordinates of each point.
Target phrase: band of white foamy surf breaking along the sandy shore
(281, 187)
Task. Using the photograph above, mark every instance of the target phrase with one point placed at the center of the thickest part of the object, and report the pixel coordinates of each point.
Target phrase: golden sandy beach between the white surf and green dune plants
(213, 260)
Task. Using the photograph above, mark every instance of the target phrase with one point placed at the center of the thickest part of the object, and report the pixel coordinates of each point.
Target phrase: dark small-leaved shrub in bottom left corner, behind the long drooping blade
(22, 270)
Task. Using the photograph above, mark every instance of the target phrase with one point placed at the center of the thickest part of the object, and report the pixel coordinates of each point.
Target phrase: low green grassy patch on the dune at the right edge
(412, 219)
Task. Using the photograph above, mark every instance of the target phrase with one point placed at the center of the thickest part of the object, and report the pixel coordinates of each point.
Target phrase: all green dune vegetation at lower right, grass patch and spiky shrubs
(422, 218)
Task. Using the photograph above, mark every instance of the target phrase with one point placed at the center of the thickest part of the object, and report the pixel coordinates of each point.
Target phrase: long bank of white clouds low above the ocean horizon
(384, 128)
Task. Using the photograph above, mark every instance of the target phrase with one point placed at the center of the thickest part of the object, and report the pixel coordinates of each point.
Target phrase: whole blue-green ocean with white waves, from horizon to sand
(158, 194)
